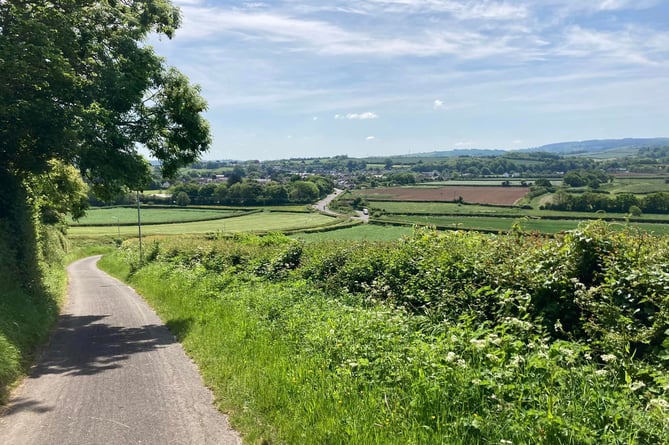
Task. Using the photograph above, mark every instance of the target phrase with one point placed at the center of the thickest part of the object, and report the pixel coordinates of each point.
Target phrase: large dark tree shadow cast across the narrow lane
(84, 345)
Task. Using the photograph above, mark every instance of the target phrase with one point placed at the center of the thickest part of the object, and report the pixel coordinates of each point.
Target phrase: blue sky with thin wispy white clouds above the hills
(299, 78)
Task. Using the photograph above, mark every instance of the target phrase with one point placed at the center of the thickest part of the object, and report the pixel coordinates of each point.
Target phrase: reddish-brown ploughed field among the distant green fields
(475, 195)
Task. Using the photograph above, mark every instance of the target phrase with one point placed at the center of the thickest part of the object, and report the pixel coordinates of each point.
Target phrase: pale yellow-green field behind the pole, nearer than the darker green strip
(256, 222)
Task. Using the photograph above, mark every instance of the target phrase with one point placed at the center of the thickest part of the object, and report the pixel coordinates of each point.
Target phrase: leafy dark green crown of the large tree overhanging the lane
(79, 85)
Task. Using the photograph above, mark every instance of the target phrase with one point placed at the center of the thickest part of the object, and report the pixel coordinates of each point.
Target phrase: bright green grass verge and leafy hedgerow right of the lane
(436, 338)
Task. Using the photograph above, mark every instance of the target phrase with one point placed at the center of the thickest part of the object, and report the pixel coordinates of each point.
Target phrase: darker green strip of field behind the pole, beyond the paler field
(127, 215)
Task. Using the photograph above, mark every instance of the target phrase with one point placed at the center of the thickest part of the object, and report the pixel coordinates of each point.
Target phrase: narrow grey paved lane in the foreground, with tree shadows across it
(113, 374)
